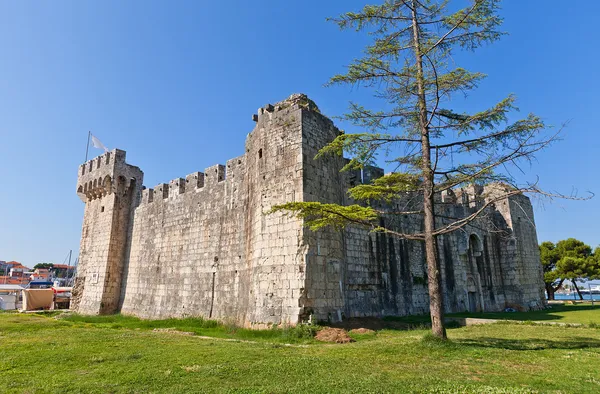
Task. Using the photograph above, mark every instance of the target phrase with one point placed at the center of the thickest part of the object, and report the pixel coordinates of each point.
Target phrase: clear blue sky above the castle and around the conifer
(175, 84)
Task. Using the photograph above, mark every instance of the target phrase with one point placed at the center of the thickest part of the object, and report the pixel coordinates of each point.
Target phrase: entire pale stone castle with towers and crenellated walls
(203, 246)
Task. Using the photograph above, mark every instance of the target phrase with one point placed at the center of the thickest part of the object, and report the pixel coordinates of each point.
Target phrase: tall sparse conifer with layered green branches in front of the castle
(410, 68)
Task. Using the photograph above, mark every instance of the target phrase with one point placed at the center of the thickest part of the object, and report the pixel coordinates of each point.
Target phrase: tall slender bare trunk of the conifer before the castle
(436, 307)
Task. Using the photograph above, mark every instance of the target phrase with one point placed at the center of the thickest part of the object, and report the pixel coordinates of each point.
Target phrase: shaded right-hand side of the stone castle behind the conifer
(493, 263)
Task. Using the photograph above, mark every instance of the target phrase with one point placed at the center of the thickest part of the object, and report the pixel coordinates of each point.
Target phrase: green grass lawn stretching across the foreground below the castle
(121, 354)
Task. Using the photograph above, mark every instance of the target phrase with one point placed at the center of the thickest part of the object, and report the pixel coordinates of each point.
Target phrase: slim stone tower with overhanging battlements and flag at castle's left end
(110, 189)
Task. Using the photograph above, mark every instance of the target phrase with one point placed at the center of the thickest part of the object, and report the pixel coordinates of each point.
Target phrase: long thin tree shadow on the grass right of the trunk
(529, 344)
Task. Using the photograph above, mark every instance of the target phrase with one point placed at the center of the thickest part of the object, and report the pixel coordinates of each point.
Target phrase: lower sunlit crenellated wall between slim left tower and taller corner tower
(187, 248)
